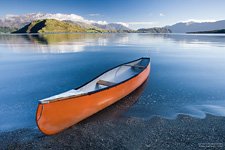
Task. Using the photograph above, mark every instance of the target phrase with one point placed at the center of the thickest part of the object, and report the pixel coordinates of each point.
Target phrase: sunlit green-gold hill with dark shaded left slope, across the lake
(53, 26)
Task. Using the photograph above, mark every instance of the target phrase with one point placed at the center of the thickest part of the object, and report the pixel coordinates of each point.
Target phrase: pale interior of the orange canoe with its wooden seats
(107, 79)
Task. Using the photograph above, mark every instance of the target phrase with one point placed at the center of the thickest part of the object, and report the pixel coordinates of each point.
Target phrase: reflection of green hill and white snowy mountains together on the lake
(59, 43)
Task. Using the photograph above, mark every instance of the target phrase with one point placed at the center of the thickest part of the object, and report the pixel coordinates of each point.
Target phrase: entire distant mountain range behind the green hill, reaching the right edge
(13, 22)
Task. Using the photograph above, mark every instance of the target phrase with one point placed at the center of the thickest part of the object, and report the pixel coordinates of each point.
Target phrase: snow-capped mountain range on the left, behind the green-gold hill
(18, 21)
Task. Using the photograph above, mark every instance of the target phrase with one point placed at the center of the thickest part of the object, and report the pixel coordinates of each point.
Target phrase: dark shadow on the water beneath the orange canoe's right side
(117, 110)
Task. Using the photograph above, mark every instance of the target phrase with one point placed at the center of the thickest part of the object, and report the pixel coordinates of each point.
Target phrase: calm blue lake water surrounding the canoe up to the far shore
(187, 72)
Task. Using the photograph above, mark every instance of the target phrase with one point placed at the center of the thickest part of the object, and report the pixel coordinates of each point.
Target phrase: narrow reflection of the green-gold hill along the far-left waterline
(48, 39)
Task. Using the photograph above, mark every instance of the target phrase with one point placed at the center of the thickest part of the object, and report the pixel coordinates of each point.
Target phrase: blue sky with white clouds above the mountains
(133, 13)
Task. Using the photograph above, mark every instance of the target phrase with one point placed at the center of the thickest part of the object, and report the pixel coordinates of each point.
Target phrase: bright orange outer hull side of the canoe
(56, 116)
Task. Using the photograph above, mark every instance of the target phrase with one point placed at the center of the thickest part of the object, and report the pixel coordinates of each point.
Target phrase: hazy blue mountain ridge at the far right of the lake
(184, 27)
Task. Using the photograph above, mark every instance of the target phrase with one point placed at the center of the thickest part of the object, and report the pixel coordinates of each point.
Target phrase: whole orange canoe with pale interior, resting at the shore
(59, 112)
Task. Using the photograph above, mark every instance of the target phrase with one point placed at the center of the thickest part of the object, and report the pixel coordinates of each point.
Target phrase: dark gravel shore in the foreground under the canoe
(109, 130)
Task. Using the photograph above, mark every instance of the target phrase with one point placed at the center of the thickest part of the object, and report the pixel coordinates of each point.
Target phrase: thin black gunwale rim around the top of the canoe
(106, 88)
